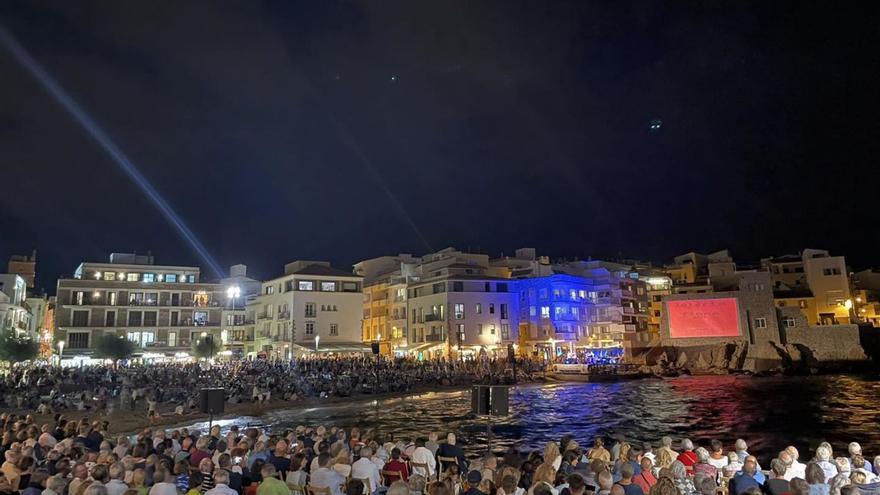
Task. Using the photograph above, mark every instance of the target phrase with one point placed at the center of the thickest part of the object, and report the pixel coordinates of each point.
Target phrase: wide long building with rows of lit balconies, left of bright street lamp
(161, 308)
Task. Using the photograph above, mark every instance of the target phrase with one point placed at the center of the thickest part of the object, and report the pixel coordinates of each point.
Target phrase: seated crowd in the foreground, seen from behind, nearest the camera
(67, 457)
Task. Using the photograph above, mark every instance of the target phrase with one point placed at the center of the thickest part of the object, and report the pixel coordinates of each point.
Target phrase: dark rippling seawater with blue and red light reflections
(769, 412)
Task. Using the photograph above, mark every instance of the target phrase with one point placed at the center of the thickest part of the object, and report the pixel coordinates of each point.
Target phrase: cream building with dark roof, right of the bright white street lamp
(312, 307)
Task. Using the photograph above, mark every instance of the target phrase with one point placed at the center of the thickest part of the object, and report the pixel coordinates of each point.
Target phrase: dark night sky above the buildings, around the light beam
(347, 130)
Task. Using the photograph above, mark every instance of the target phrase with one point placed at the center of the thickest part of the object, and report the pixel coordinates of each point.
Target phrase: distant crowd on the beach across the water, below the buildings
(104, 388)
